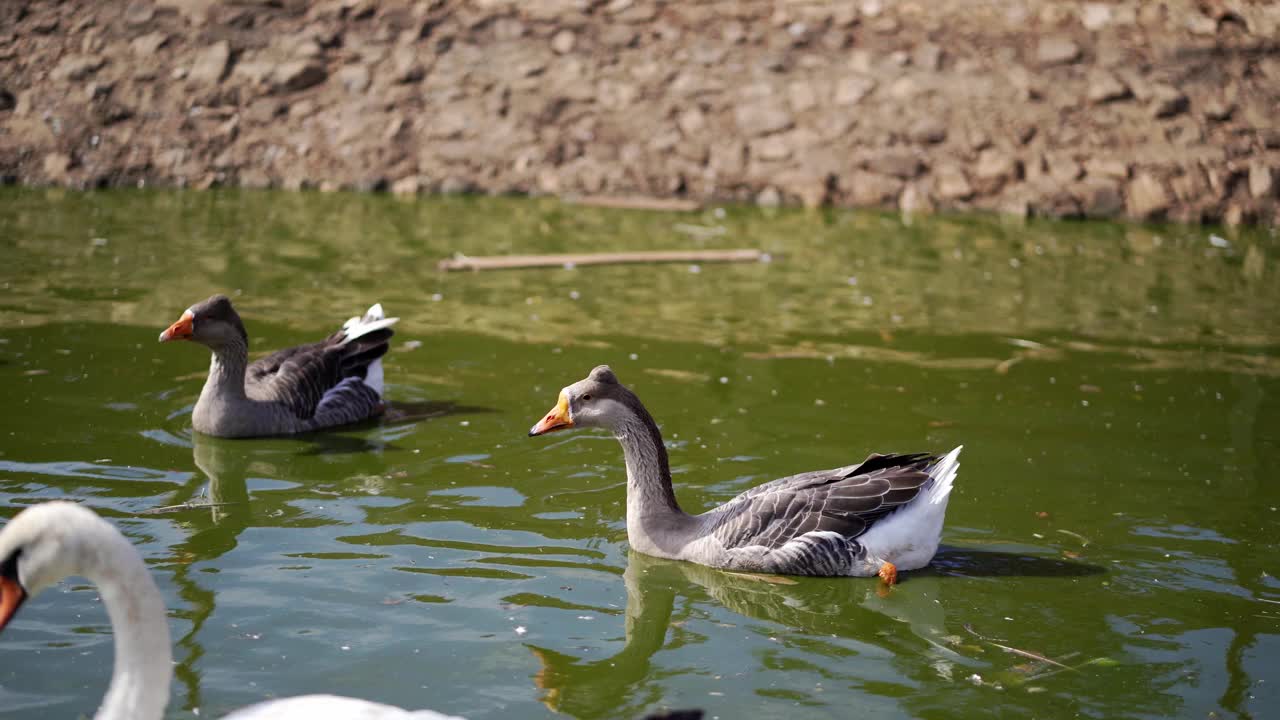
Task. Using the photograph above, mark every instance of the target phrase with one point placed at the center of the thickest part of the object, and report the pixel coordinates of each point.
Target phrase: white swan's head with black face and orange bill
(40, 546)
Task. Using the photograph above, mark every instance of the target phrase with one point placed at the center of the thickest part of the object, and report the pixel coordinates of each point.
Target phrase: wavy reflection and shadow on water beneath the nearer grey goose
(821, 608)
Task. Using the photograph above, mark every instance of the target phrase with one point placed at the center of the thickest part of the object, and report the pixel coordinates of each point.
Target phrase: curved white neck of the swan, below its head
(144, 658)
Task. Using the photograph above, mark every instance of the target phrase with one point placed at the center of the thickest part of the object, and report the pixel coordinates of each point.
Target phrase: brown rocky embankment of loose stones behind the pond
(1128, 108)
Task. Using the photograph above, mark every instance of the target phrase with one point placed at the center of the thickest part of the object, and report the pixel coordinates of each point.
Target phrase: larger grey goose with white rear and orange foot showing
(875, 518)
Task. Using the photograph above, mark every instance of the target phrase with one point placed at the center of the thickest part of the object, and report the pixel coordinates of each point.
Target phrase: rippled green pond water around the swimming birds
(1117, 390)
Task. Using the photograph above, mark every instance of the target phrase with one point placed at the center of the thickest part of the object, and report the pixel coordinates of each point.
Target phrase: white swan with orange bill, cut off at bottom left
(51, 541)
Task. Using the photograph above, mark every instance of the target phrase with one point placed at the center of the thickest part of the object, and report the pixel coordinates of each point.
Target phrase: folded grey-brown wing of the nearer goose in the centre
(844, 500)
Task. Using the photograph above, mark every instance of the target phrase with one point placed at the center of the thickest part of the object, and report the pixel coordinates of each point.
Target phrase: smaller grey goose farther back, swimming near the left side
(309, 388)
